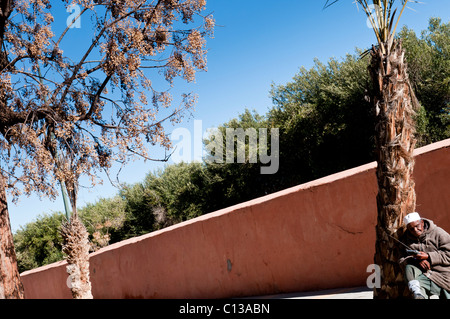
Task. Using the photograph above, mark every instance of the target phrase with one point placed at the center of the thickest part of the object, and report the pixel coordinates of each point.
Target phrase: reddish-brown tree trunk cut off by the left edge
(10, 284)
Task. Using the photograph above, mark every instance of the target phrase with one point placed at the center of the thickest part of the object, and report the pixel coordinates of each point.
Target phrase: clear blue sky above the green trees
(256, 43)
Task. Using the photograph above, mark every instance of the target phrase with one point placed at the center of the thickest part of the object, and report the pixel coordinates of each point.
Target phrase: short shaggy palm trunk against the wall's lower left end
(76, 246)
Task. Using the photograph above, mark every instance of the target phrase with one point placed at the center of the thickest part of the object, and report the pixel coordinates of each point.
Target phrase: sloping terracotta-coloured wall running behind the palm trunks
(314, 236)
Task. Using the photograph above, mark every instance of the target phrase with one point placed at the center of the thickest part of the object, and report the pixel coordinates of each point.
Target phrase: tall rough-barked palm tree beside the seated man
(394, 105)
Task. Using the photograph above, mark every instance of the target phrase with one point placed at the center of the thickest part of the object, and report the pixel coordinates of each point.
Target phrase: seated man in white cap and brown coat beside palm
(428, 271)
